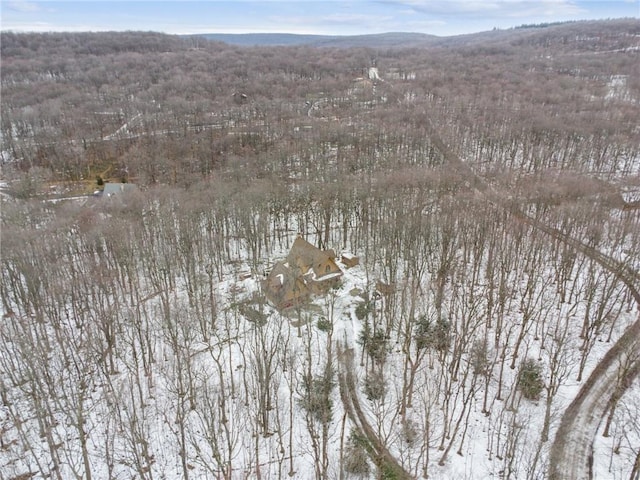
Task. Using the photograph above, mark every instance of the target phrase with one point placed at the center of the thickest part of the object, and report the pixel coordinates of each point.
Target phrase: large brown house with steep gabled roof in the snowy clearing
(307, 270)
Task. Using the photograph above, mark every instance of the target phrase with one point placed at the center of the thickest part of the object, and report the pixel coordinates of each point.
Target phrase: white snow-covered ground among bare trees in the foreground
(214, 396)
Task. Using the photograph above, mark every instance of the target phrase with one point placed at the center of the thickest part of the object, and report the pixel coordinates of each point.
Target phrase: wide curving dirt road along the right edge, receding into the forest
(571, 456)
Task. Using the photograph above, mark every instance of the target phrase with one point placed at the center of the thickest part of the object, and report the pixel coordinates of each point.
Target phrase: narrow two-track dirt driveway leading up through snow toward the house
(386, 463)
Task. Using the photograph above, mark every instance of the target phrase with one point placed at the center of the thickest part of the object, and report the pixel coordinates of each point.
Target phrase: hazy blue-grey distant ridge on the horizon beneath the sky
(392, 39)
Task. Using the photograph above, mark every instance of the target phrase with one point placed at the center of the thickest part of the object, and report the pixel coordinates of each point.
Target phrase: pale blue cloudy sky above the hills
(332, 17)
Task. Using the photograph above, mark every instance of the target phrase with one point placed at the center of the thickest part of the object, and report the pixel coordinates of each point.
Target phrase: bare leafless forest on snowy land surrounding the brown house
(489, 185)
